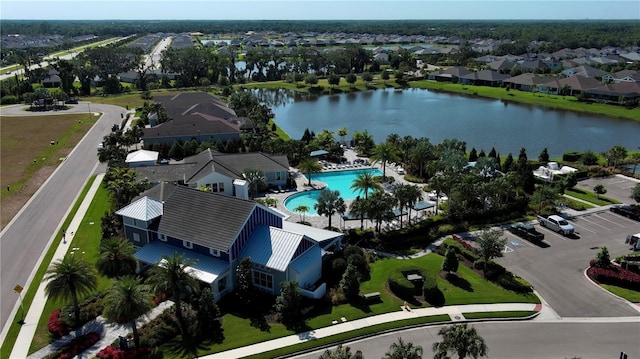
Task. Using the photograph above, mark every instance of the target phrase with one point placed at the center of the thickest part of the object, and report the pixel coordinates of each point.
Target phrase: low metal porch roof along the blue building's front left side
(206, 269)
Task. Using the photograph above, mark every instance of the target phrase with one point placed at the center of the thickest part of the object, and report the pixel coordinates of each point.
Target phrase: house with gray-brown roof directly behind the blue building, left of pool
(218, 171)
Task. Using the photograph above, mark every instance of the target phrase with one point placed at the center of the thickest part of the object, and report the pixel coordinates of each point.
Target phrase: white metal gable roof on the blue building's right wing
(272, 247)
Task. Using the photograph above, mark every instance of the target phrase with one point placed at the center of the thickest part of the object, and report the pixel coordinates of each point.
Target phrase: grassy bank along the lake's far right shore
(555, 102)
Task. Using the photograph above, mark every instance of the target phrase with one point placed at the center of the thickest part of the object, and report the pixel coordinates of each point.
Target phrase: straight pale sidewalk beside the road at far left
(28, 330)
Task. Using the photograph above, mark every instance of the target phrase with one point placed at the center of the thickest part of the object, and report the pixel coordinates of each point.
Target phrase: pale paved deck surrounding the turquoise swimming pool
(322, 221)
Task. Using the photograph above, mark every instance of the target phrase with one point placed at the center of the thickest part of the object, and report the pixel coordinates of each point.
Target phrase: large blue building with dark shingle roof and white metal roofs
(218, 231)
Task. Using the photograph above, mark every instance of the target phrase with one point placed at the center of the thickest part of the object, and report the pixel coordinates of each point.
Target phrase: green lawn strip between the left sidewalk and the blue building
(87, 239)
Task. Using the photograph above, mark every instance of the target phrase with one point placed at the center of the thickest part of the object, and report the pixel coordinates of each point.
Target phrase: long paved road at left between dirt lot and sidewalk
(26, 238)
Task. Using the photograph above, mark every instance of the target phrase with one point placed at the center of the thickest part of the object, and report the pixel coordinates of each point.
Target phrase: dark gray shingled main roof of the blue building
(208, 219)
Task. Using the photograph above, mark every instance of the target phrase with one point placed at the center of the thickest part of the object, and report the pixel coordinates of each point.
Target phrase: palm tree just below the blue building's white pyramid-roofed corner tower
(116, 258)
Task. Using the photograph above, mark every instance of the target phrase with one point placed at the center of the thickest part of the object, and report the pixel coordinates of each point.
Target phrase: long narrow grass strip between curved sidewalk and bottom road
(338, 338)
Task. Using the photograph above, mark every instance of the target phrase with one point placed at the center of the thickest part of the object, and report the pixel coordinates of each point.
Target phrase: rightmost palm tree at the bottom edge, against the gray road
(460, 339)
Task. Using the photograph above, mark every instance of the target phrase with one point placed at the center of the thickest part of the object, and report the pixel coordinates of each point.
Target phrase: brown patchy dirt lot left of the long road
(27, 157)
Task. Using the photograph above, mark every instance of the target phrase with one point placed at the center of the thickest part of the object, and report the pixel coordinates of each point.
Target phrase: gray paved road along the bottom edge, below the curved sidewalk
(512, 340)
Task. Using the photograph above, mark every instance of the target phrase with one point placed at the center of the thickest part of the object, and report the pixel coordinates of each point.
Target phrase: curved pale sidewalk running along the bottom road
(455, 312)
